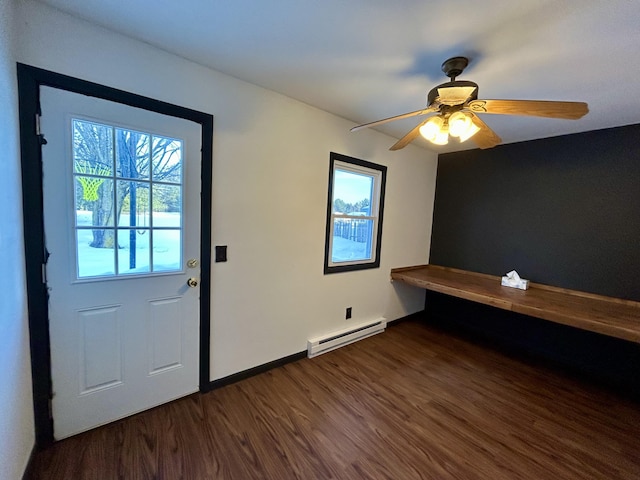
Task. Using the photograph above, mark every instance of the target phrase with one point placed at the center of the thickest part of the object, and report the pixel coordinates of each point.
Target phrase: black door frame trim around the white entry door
(30, 79)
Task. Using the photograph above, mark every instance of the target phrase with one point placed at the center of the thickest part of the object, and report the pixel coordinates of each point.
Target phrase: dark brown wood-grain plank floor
(413, 402)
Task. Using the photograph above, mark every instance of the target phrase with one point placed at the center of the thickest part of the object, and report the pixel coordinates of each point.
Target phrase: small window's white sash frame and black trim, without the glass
(378, 174)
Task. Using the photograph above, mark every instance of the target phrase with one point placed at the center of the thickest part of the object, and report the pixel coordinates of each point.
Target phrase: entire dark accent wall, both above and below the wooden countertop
(562, 211)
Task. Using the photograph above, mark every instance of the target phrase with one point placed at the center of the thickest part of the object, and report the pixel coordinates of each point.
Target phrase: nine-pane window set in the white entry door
(128, 201)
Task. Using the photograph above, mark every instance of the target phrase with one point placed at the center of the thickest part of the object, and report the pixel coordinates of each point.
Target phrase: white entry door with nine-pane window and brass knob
(122, 226)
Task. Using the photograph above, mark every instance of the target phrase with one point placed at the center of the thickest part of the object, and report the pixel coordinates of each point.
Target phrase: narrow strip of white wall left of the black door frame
(16, 410)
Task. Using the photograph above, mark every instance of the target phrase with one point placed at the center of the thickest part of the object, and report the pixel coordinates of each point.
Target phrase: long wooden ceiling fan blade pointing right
(535, 108)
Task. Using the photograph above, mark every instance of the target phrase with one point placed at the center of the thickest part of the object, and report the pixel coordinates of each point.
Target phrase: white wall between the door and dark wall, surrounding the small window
(270, 174)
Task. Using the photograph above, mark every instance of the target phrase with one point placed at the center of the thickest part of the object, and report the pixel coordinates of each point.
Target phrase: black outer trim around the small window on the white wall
(333, 157)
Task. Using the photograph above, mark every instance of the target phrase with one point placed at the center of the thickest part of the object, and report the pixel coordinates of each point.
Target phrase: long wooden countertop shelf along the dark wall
(605, 315)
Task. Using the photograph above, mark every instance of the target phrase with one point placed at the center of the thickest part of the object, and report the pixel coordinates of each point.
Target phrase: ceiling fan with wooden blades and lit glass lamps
(456, 104)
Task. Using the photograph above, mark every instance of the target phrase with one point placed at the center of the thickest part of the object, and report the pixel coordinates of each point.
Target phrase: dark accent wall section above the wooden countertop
(562, 211)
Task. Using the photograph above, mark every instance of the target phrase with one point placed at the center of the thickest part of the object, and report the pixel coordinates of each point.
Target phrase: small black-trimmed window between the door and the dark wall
(354, 214)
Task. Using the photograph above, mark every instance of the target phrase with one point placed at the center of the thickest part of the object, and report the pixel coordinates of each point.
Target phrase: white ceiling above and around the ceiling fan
(369, 59)
